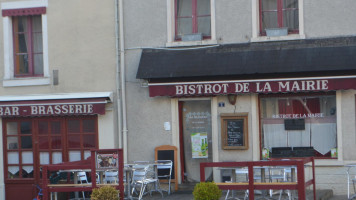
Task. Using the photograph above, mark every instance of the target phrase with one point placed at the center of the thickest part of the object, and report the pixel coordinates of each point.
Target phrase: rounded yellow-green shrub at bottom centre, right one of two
(206, 191)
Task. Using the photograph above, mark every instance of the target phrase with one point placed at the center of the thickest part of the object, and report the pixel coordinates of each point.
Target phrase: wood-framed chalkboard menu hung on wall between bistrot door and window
(234, 132)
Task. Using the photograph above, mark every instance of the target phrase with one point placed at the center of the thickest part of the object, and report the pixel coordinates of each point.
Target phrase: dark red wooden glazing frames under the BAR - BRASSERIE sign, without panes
(36, 143)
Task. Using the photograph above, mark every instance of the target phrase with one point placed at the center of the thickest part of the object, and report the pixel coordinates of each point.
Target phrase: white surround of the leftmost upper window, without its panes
(9, 79)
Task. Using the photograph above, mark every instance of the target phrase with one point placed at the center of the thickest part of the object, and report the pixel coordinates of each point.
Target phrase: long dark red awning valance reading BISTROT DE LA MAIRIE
(242, 87)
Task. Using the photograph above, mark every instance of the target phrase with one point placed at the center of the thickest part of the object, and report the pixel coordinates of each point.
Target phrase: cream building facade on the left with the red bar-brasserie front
(58, 87)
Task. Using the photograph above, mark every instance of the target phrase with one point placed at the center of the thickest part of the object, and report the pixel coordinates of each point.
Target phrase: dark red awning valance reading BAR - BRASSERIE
(51, 110)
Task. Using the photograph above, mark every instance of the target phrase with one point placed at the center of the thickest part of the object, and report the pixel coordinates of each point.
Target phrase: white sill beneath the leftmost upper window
(26, 82)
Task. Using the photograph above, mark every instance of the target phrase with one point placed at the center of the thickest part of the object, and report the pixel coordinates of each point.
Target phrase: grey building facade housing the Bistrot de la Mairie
(229, 80)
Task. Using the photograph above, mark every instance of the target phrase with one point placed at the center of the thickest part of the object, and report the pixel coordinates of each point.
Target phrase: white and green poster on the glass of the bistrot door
(199, 145)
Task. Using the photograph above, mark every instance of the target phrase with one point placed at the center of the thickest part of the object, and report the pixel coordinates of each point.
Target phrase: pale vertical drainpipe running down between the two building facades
(122, 78)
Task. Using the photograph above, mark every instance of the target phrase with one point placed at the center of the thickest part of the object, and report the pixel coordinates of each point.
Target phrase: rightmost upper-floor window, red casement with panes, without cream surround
(279, 14)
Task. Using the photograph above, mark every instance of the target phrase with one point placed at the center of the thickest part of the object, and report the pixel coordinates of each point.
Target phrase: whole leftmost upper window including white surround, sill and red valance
(25, 43)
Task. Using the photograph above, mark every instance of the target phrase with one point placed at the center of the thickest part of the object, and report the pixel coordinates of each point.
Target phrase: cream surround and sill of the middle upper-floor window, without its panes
(171, 27)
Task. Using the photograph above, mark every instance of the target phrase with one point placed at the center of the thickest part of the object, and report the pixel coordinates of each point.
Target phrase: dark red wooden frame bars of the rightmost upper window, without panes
(279, 11)
